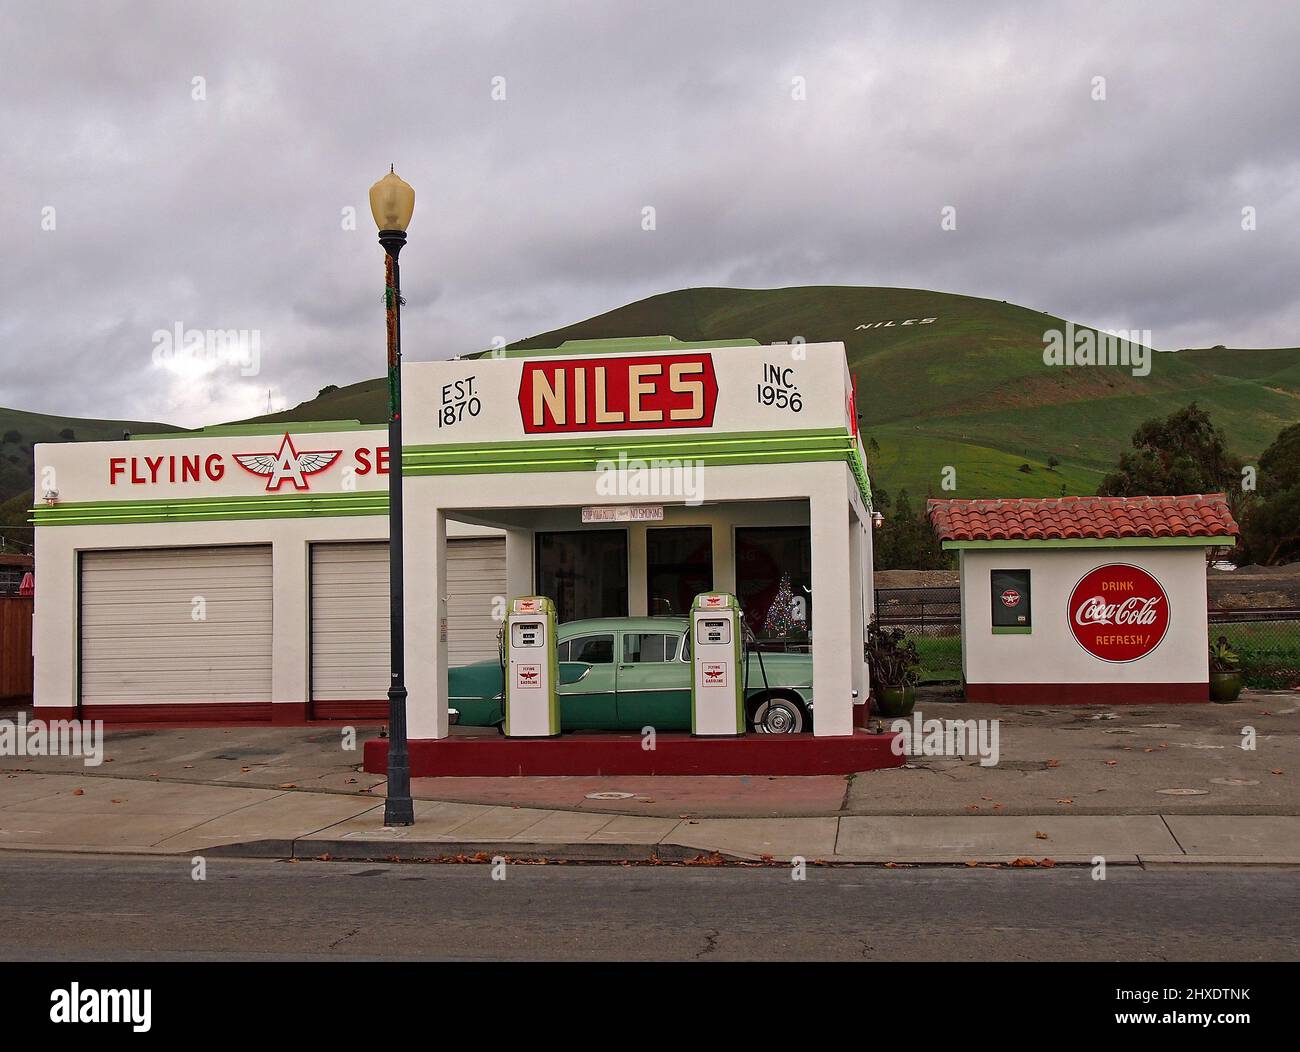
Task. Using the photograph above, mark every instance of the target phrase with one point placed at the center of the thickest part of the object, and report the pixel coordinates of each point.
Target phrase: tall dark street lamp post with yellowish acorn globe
(392, 204)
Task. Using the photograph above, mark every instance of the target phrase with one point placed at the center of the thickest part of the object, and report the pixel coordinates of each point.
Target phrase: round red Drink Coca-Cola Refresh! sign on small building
(1119, 613)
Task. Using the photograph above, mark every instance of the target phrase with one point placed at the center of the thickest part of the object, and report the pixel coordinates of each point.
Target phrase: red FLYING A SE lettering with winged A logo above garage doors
(280, 462)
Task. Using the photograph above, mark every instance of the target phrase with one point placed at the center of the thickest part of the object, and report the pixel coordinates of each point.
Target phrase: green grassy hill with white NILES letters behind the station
(968, 391)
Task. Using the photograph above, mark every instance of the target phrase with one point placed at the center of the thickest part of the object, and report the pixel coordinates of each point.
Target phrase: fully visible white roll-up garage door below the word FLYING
(180, 625)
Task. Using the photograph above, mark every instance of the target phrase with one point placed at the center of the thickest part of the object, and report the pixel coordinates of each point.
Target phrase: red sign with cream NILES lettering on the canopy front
(618, 393)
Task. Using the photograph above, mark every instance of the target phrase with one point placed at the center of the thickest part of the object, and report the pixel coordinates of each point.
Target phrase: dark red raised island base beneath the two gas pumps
(622, 755)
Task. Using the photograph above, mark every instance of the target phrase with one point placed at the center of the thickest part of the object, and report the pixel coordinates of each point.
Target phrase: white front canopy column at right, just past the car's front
(833, 617)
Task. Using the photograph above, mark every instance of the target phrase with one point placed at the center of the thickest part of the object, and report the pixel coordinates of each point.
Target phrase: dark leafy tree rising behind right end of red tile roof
(1184, 453)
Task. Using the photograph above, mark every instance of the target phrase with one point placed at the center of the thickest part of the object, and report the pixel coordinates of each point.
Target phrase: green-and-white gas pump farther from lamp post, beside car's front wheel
(717, 682)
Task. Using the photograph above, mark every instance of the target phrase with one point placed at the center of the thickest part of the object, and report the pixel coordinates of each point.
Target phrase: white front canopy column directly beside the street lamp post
(426, 575)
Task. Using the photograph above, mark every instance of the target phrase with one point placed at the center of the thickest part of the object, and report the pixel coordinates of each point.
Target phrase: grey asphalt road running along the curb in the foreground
(115, 908)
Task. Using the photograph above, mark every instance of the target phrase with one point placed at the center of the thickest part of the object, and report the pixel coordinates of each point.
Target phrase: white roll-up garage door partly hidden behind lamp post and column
(350, 613)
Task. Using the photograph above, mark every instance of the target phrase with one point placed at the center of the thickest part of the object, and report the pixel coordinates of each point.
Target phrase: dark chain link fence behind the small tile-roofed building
(1267, 640)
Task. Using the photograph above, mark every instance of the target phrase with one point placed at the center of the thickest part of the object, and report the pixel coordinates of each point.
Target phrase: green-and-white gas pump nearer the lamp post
(532, 673)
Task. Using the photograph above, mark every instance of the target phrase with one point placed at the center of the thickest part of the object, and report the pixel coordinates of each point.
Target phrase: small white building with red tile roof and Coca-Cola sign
(1085, 600)
